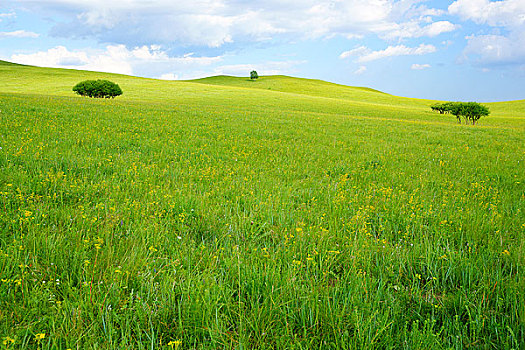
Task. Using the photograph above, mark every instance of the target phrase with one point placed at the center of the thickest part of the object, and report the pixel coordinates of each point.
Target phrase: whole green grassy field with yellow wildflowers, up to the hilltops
(282, 213)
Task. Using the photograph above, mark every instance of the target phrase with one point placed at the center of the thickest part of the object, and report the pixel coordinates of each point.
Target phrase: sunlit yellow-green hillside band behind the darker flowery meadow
(274, 92)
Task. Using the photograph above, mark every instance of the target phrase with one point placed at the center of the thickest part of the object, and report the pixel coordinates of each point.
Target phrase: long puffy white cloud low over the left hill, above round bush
(114, 59)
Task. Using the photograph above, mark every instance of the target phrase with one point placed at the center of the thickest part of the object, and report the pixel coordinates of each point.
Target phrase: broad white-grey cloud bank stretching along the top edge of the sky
(215, 23)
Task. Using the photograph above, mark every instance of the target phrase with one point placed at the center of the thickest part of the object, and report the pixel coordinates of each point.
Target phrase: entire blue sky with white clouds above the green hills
(468, 50)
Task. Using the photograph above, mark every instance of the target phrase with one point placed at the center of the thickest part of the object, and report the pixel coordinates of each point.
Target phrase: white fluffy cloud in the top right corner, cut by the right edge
(494, 49)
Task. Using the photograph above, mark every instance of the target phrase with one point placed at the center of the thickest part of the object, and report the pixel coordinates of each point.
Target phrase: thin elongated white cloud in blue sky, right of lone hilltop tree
(364, 54)
